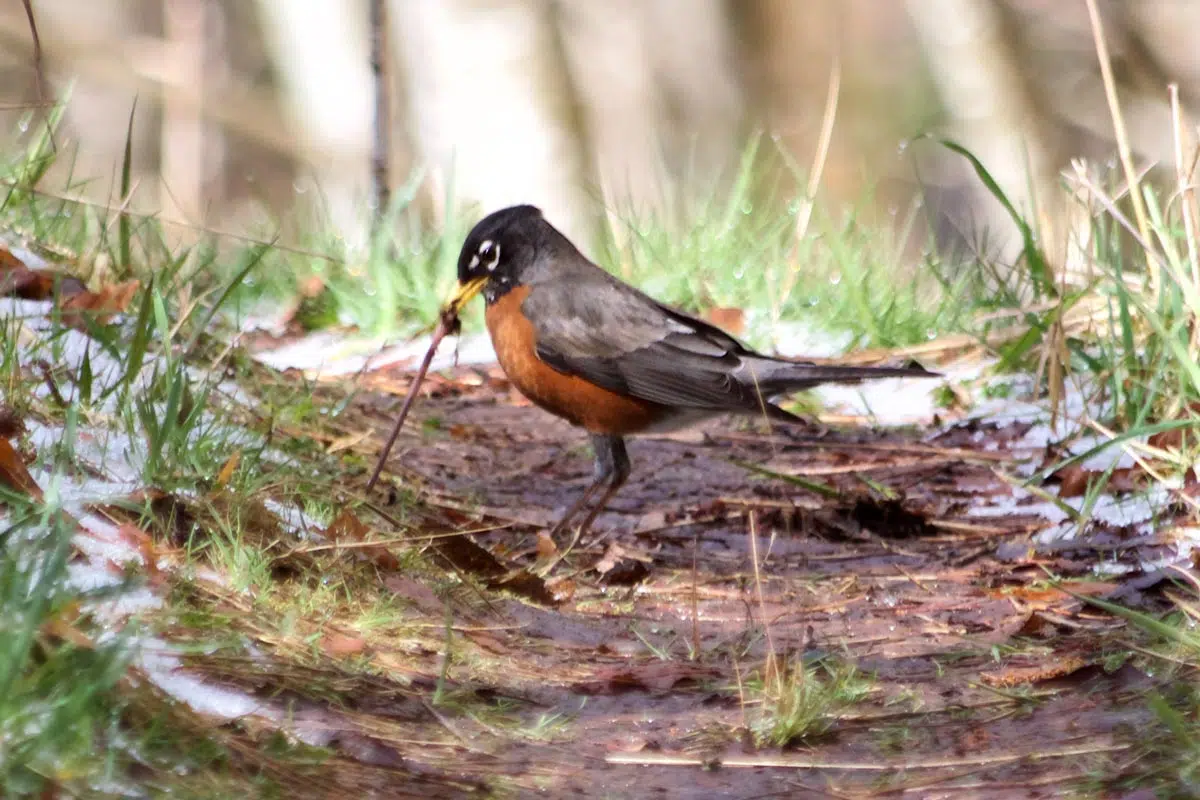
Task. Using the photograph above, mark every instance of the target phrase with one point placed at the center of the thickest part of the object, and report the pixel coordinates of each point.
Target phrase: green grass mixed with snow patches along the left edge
(143, 399)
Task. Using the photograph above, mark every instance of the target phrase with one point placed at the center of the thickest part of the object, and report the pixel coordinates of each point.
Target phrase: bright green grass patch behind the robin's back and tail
(759, 246)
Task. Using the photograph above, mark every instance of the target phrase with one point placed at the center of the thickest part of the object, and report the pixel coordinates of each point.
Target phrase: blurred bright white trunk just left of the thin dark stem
(321, 53)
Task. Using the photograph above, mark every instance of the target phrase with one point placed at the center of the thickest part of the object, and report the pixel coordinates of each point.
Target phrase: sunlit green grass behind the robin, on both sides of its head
(742, 249)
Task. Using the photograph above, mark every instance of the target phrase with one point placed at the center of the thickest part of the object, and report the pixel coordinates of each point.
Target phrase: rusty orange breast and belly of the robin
(573, 399)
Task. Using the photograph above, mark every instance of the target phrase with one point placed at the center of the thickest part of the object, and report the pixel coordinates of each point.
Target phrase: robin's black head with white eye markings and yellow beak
(497, 250)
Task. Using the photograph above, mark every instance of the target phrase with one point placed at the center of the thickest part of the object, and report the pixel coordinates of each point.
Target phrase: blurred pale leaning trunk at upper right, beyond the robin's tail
(993, 113)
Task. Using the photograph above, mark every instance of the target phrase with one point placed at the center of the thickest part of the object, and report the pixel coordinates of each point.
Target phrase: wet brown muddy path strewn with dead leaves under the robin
(650, 641)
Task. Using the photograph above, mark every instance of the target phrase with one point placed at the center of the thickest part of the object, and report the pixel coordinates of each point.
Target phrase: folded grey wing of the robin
(616, 338)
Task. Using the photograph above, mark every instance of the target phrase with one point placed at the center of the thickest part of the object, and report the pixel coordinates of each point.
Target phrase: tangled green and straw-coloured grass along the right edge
(1115, 320)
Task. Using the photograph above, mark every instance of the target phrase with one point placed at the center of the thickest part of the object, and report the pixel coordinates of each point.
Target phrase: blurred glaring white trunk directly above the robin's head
(491, 112)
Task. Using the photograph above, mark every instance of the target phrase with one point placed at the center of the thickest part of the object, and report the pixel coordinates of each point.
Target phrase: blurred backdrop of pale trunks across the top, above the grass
(257, 117)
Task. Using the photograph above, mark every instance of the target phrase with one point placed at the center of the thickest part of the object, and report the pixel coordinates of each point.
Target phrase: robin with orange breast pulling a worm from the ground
(610, 359)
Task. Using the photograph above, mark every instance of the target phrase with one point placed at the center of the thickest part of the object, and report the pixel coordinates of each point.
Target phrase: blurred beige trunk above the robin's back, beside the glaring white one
(656, 116)
